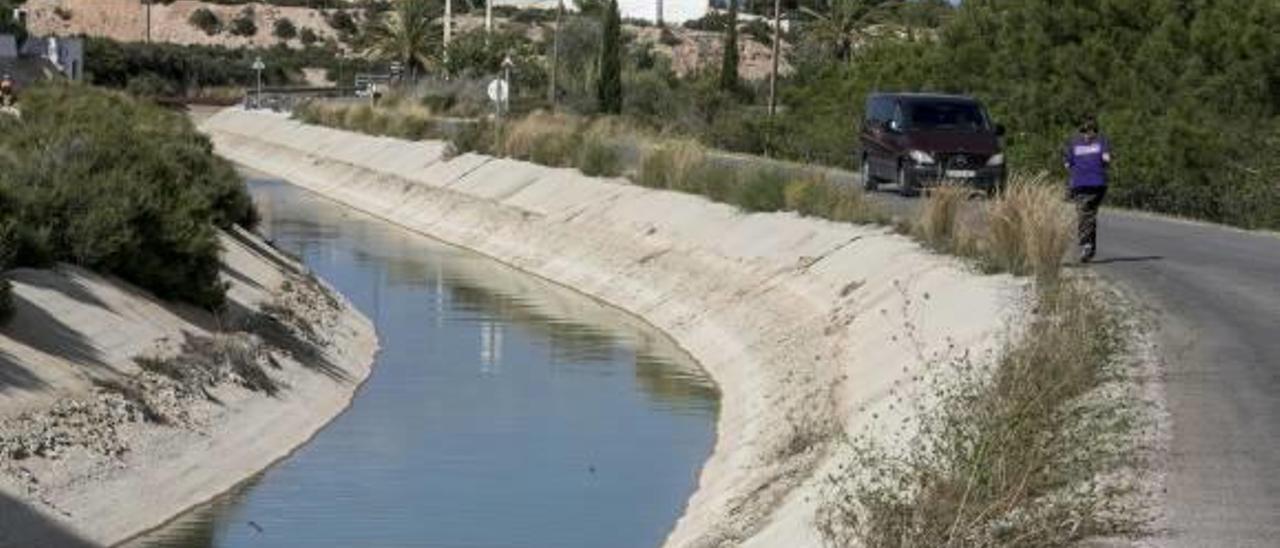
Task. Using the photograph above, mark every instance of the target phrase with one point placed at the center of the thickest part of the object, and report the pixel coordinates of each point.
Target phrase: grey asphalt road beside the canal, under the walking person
(1215, 295)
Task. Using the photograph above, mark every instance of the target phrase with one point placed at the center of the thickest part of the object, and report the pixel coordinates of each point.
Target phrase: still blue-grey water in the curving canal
(504, 412)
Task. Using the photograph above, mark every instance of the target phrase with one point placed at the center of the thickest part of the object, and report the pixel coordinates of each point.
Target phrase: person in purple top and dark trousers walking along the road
(1087, 158)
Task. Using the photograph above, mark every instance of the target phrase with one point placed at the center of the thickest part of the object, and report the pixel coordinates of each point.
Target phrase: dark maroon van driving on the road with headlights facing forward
(921, 140)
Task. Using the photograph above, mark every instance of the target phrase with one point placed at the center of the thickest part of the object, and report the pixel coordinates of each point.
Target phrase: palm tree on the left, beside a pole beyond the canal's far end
(405, 35)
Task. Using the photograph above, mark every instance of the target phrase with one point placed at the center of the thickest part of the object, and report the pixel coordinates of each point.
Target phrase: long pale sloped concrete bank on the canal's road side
(810, 328)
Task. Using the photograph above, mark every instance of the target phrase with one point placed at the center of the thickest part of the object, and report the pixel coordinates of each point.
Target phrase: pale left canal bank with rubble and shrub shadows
(93, 465)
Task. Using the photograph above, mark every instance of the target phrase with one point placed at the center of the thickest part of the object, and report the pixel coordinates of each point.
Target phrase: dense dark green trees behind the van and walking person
(1186, 92)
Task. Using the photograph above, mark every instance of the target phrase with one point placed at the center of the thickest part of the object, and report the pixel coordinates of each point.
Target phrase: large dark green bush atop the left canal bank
(118, 186)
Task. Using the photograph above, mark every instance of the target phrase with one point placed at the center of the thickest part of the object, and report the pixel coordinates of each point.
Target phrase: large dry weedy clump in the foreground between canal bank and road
(1009, 455)
